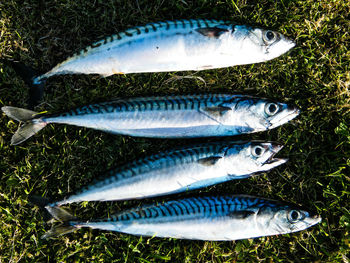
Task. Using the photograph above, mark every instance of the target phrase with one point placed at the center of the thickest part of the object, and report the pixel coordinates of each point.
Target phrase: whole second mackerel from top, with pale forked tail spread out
(165, 117)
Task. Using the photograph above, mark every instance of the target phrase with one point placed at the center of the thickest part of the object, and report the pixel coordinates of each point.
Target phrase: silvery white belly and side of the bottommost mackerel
(212, 228)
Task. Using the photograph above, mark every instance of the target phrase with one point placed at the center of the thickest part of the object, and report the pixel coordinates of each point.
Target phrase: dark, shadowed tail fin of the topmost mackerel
(32, 78)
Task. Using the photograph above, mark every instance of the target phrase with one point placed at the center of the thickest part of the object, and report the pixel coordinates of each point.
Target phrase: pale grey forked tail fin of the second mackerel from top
(29, 127)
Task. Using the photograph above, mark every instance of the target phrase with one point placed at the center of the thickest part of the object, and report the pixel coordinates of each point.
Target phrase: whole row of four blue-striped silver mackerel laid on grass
(195, 44)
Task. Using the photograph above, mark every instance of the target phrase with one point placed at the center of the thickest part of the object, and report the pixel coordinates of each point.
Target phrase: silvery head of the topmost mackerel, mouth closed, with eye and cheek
(269, 44)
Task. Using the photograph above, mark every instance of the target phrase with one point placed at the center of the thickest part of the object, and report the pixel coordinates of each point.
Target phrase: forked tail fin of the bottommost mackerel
(65, 218)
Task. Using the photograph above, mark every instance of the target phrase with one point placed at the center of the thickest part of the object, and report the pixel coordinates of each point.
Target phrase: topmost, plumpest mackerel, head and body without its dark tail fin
(179, 45)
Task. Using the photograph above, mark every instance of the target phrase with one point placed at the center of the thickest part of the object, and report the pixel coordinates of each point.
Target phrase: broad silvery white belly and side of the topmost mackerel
(166, 51)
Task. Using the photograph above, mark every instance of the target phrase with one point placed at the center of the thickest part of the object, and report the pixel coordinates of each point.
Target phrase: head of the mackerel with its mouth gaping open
(248, 158)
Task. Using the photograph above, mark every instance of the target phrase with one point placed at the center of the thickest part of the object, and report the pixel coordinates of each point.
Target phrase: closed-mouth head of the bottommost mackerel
(282, 219)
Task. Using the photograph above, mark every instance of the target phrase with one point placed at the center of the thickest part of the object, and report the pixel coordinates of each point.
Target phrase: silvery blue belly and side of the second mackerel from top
(160, 124)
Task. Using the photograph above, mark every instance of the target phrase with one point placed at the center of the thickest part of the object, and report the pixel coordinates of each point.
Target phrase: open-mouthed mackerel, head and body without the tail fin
(181, 170)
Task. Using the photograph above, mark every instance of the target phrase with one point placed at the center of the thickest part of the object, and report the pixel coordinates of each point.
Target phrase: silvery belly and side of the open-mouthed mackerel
(155, 182)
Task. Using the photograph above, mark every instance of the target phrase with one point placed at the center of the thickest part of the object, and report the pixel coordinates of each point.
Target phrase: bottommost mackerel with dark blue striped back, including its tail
(216, 218)
